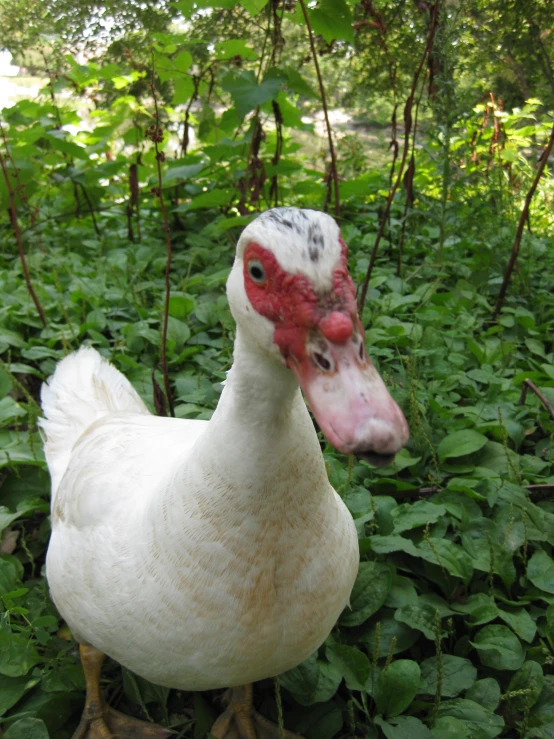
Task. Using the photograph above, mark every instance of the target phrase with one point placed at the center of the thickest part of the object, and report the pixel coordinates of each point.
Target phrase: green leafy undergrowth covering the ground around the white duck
(451, 626)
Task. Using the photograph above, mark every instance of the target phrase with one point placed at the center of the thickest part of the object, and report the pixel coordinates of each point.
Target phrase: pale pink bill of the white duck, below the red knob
(351, 404)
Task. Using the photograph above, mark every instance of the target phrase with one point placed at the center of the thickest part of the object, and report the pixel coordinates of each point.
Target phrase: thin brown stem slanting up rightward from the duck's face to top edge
(407, 131)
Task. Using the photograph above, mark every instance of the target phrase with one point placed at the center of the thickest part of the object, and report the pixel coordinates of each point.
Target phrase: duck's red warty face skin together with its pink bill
(322, 341)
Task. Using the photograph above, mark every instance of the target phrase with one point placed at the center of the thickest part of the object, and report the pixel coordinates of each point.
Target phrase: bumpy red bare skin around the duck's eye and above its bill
(291, 303)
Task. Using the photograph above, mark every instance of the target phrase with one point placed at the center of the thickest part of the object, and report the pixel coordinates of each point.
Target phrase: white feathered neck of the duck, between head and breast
(261, 434)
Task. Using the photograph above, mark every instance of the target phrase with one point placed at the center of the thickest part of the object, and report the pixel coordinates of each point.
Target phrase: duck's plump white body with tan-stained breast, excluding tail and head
(197, 558)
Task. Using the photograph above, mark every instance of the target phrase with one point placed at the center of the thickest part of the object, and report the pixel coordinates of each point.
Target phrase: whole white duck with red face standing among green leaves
(213, 554)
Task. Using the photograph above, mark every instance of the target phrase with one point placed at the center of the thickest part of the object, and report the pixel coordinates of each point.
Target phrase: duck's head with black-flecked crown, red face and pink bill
(292, 297)
